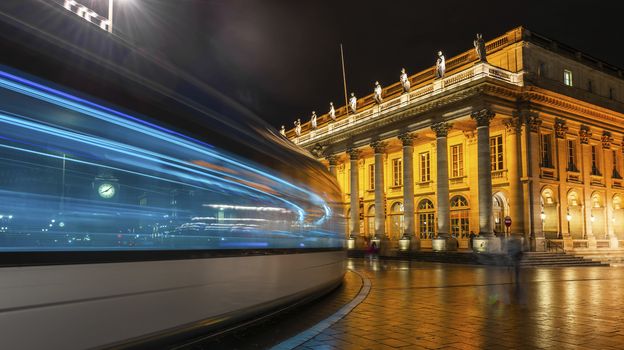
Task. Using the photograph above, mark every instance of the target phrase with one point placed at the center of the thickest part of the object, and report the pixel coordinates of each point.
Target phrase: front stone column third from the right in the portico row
(408, 189)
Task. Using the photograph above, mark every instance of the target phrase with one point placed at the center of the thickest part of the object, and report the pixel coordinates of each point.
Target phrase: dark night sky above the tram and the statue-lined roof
(281, 59)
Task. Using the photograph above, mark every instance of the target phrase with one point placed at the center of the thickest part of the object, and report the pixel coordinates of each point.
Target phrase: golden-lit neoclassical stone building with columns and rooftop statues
(535, 133)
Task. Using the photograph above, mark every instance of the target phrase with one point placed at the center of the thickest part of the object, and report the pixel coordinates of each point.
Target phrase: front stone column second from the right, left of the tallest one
(442, 191)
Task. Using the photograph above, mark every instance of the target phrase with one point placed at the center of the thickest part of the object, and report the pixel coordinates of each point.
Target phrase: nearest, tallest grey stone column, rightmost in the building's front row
(483, 118)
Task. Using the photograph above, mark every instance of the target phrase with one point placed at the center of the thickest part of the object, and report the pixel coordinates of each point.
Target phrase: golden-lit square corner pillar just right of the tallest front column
(516, 195)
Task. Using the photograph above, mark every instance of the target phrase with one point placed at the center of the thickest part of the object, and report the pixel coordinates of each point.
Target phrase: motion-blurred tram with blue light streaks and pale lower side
(138, 205)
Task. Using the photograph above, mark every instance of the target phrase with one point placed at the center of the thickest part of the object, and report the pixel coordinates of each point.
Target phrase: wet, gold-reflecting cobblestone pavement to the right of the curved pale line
(414, 305)
